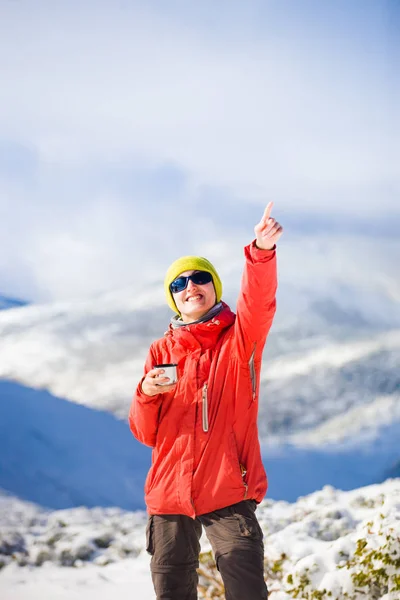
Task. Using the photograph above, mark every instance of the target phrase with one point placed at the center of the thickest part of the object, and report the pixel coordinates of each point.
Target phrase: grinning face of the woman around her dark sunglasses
(194, 301)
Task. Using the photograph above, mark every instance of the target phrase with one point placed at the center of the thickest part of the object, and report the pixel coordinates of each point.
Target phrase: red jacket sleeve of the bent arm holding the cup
(144, 411)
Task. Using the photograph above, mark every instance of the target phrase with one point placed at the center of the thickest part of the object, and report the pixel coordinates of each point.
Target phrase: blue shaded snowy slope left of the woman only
(61, 454)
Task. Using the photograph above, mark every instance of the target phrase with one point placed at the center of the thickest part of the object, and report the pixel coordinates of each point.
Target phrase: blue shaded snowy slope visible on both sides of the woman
(61, 454)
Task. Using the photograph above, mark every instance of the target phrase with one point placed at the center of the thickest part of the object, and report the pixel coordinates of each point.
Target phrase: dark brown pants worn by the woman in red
(237, 542)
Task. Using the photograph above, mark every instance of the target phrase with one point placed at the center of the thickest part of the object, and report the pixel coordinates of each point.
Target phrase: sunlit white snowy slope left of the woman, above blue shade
(91, 352)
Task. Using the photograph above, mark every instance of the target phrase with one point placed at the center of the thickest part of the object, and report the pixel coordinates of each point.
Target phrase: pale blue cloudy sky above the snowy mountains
(132, 132)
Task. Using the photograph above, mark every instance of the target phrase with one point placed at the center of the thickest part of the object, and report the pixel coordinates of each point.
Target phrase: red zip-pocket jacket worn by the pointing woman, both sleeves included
(206, 452)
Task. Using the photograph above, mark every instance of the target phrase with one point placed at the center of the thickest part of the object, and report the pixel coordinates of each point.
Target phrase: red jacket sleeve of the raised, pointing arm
(256, 303)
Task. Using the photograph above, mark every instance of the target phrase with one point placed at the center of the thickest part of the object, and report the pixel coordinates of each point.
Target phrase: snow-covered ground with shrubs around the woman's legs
(99, 553)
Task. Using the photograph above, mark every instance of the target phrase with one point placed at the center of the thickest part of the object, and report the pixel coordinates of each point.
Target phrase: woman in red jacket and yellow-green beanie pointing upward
(206, 464)
